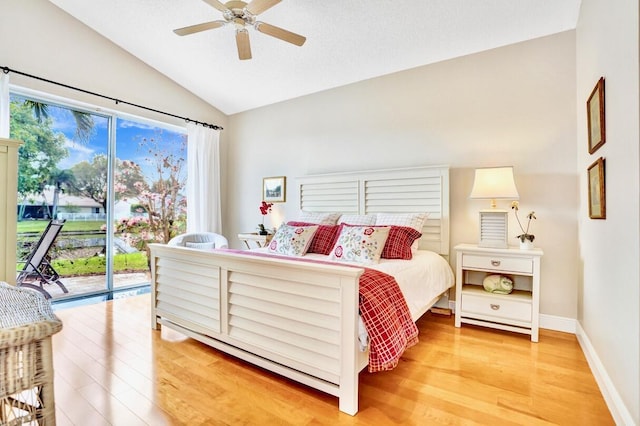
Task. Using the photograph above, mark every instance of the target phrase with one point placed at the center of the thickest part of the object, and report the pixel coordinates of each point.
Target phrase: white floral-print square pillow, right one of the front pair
(360, 244)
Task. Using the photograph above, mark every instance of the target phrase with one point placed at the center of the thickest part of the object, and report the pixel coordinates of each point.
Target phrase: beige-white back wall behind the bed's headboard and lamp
(509, 106)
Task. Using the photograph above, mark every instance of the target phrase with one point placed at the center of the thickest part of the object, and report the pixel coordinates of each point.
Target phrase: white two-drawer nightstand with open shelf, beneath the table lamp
(517, 311)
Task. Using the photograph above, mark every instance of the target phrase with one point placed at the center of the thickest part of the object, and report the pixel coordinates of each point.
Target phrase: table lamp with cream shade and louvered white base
(494, 183)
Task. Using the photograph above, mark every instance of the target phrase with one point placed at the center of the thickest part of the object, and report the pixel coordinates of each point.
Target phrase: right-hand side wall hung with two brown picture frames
(609, 313)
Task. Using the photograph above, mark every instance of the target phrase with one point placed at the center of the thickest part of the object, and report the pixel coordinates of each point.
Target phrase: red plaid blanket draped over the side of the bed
(387, 319)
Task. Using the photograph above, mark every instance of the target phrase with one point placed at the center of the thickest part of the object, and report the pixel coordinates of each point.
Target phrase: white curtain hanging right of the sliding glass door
(203, 183)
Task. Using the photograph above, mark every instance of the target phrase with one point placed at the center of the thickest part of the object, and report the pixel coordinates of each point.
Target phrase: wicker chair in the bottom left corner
(27, 323)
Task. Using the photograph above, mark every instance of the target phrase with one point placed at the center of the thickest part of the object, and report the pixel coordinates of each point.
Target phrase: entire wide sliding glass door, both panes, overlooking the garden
(118, 185)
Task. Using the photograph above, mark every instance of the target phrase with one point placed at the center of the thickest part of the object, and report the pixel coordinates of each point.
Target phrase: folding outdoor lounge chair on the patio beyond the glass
(37, 270)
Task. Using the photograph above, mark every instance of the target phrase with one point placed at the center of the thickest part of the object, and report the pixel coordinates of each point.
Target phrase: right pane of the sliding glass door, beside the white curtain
(149, 195)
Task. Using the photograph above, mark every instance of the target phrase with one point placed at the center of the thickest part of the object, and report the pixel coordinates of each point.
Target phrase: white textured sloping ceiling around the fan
(347, 41)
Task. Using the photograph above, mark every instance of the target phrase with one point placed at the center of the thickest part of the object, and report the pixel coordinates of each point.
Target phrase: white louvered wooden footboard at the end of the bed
(297, 319)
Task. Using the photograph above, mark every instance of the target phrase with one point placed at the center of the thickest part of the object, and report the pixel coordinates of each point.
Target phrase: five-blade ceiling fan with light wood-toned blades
(242, 15)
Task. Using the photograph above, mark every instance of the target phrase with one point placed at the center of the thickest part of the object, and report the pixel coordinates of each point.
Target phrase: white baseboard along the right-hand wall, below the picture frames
(619, 411)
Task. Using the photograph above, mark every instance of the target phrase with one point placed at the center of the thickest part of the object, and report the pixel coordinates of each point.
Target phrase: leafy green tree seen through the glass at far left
(38, 156)
